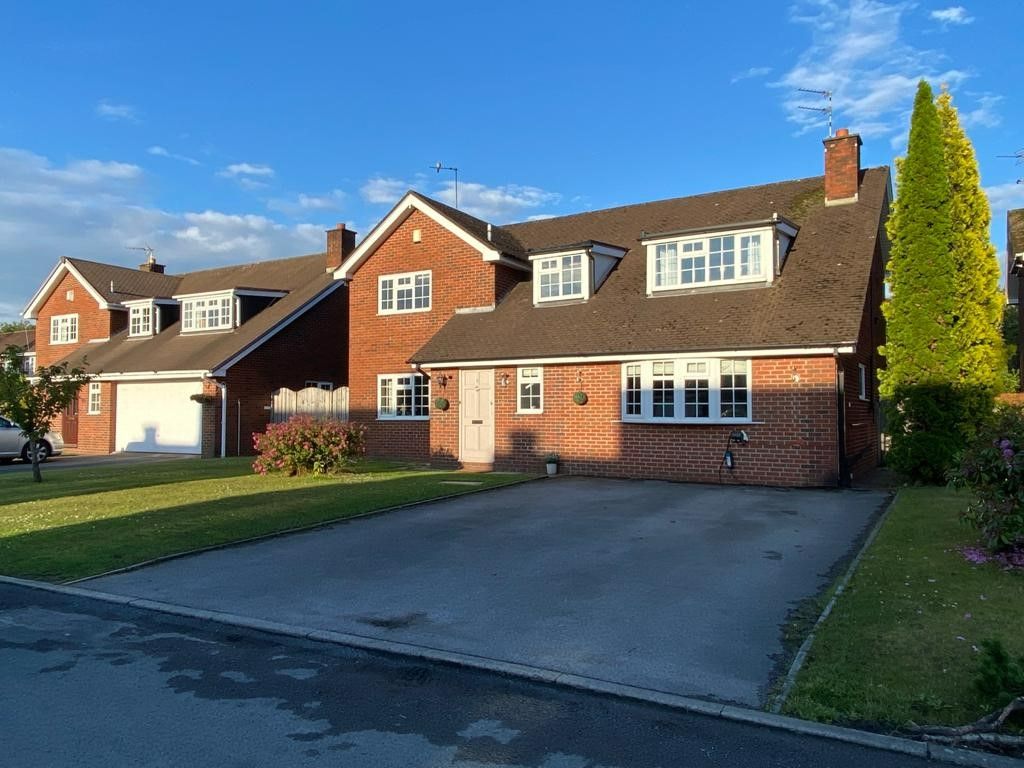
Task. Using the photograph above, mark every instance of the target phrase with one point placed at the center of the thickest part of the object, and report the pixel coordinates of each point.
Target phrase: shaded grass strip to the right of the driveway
(901, 645)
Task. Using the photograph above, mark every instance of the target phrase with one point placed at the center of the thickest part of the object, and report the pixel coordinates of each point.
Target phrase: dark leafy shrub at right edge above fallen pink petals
(994, 470)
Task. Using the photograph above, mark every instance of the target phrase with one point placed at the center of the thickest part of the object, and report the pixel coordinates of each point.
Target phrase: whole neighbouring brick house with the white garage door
(188, 363)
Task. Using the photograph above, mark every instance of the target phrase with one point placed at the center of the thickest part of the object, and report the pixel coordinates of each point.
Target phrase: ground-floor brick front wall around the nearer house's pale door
(794, 442)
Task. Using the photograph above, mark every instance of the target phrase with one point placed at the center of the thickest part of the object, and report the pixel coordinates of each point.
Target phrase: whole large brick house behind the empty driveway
(633, 342)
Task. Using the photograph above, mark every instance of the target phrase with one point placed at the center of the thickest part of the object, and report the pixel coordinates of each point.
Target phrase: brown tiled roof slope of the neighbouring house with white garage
(305, 279)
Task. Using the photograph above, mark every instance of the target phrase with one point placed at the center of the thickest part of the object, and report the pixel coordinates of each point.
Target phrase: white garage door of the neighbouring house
(158, 417)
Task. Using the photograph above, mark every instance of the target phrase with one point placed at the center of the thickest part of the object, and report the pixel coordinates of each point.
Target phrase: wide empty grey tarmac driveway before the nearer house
(671, 587)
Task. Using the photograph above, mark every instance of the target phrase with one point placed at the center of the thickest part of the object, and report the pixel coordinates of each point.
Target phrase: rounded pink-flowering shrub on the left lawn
(304, 445)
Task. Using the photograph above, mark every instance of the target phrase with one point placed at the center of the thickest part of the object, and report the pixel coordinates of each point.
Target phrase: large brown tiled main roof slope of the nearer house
(819, 301)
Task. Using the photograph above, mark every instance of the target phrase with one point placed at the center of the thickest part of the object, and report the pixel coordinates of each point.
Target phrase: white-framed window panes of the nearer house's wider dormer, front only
(716, 260)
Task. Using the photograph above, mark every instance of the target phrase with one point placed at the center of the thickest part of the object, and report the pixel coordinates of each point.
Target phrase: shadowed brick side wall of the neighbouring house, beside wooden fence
(312, 349)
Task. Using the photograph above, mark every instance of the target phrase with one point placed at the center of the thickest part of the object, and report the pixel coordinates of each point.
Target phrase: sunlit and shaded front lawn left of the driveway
(82, 523)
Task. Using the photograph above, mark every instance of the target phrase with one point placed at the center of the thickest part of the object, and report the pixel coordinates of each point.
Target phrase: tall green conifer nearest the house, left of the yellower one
(920, 349)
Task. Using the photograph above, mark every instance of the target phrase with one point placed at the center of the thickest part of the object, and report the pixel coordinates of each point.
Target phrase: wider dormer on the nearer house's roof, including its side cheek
(701, 260)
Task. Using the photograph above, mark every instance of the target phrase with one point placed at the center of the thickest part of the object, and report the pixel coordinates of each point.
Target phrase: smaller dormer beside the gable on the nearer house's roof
(573, 273)
